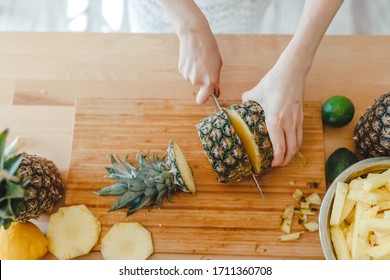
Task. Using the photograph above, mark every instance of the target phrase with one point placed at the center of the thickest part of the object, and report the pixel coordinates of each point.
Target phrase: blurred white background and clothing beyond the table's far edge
(146, 16)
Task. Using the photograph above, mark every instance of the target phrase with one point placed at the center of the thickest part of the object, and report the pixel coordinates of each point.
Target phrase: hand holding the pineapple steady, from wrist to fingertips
(280, 93)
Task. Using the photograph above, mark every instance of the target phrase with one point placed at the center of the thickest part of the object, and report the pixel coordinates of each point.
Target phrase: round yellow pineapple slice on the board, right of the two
(127, 241)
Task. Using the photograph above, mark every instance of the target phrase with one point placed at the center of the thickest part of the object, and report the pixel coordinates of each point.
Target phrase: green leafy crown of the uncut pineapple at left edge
(12, 185)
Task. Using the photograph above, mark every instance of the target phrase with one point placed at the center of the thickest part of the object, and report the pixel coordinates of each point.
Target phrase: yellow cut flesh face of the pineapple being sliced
(247, 139)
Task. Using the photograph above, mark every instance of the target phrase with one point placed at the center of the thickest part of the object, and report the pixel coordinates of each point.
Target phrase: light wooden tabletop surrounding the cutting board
(42, 74)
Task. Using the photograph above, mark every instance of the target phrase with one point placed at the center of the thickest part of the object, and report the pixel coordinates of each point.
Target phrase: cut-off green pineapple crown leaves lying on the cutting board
(146, 184)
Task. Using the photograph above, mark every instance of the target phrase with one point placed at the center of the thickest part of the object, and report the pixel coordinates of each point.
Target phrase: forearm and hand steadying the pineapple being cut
(281, 90)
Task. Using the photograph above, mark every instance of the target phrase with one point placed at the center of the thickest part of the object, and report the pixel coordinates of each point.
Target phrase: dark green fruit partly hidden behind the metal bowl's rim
(337, 162)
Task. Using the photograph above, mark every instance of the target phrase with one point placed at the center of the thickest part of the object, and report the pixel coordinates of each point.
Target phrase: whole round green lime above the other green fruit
(337, 111)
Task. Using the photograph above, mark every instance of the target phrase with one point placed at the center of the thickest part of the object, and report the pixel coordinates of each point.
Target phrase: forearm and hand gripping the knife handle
(199, 59)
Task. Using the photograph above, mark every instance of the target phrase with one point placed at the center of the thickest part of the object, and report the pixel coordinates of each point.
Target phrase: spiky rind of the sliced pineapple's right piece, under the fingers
(253, 115)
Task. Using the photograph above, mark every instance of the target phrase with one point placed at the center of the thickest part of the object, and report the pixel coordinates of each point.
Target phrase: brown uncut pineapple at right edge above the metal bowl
(372, 136)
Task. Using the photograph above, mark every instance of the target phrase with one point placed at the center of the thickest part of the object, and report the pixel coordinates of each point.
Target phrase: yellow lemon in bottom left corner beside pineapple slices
(22, 241)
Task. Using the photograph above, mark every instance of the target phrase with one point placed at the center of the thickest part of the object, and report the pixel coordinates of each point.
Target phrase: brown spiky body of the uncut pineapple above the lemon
(44, 189)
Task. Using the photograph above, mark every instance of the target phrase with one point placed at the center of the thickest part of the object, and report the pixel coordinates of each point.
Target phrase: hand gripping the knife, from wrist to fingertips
(200, 61)
